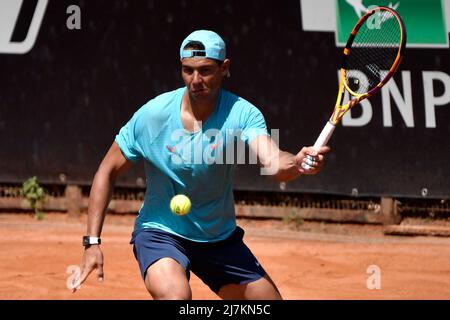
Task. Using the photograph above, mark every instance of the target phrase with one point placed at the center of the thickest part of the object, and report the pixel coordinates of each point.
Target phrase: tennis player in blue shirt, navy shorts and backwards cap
(185, 138)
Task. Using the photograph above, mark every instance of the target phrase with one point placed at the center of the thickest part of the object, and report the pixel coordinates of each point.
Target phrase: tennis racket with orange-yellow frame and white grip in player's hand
(371, 57)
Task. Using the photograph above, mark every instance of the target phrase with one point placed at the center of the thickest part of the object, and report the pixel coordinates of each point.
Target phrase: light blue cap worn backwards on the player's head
(214, 46)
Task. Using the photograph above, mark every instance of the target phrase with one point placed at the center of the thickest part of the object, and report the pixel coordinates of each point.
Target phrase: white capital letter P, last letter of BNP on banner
(431, 101)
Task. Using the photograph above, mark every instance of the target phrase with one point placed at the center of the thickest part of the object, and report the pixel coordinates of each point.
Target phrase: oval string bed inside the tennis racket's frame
(374, 51)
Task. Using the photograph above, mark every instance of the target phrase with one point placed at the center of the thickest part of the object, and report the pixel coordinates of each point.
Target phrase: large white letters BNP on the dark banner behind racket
(403, 101)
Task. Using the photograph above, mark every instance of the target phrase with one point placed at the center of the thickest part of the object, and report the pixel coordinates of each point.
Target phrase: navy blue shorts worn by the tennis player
(216, 264)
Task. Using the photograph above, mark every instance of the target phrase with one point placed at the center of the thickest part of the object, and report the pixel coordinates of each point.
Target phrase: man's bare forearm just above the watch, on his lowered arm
(99, 198)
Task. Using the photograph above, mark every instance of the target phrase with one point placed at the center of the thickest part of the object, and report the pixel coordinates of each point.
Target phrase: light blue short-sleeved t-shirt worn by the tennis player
(199, 165)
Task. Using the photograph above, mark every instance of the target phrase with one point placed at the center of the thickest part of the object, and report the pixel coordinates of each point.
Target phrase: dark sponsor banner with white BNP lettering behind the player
(74, 72)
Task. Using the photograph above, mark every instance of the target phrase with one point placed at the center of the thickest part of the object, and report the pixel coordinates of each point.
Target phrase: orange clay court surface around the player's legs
(320, 261)
